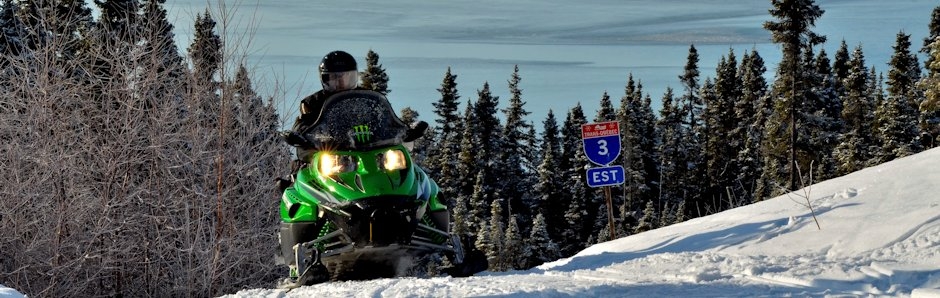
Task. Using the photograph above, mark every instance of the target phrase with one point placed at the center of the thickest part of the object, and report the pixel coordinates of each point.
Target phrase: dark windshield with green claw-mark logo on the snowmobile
(356, 120)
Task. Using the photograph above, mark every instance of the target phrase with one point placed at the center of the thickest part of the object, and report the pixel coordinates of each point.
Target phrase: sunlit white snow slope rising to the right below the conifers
(879, 236)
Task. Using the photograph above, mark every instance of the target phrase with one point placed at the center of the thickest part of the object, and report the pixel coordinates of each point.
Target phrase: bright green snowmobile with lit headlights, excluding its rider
(359, 208)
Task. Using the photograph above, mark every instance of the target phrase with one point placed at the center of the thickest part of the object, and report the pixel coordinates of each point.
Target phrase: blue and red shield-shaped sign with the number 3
(601, 141)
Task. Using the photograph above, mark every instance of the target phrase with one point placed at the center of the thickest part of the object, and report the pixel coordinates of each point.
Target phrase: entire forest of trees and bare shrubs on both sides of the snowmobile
(135, 168)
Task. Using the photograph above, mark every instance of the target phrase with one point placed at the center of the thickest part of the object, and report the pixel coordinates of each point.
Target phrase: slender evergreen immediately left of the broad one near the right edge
(853, 152)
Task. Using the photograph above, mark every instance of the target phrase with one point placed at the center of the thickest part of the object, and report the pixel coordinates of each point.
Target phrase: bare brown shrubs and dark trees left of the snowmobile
(130, 169)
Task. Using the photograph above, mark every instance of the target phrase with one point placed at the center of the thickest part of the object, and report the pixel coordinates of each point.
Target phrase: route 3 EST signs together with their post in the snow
(602, 147)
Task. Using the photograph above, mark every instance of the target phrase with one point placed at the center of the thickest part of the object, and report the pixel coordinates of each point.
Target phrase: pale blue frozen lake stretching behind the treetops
(567, 52)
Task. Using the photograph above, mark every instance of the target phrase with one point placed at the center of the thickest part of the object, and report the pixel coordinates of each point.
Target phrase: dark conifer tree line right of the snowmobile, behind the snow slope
(720, 141)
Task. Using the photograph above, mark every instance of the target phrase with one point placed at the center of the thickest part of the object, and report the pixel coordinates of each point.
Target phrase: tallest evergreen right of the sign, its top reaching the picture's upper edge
(791, 30)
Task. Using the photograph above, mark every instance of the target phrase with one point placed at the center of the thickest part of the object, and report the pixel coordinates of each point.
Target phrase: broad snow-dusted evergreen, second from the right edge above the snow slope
(896, 117)
